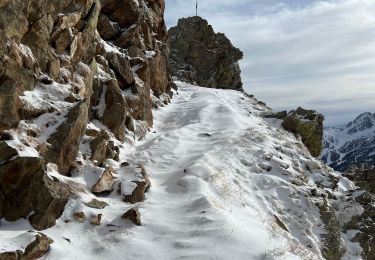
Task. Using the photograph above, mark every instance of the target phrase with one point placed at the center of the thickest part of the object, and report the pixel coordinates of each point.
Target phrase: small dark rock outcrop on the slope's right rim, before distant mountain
(306, 123)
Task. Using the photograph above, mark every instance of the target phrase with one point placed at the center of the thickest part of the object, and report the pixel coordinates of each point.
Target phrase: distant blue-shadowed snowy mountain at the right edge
(350, 144)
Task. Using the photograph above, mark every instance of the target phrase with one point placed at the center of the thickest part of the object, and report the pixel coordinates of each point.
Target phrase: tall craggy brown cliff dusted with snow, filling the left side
(64, 66)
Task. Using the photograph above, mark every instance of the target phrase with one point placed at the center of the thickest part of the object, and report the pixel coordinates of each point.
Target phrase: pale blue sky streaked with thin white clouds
(311, 53)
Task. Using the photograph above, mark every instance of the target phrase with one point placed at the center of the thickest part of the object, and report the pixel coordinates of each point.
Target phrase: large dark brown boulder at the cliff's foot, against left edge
(27, 189)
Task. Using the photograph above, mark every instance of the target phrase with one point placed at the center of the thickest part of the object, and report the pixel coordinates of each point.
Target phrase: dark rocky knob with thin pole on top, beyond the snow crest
(200, 55)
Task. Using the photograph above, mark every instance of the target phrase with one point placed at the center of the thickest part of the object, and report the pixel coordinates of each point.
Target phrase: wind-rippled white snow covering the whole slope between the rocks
(223, 180)
